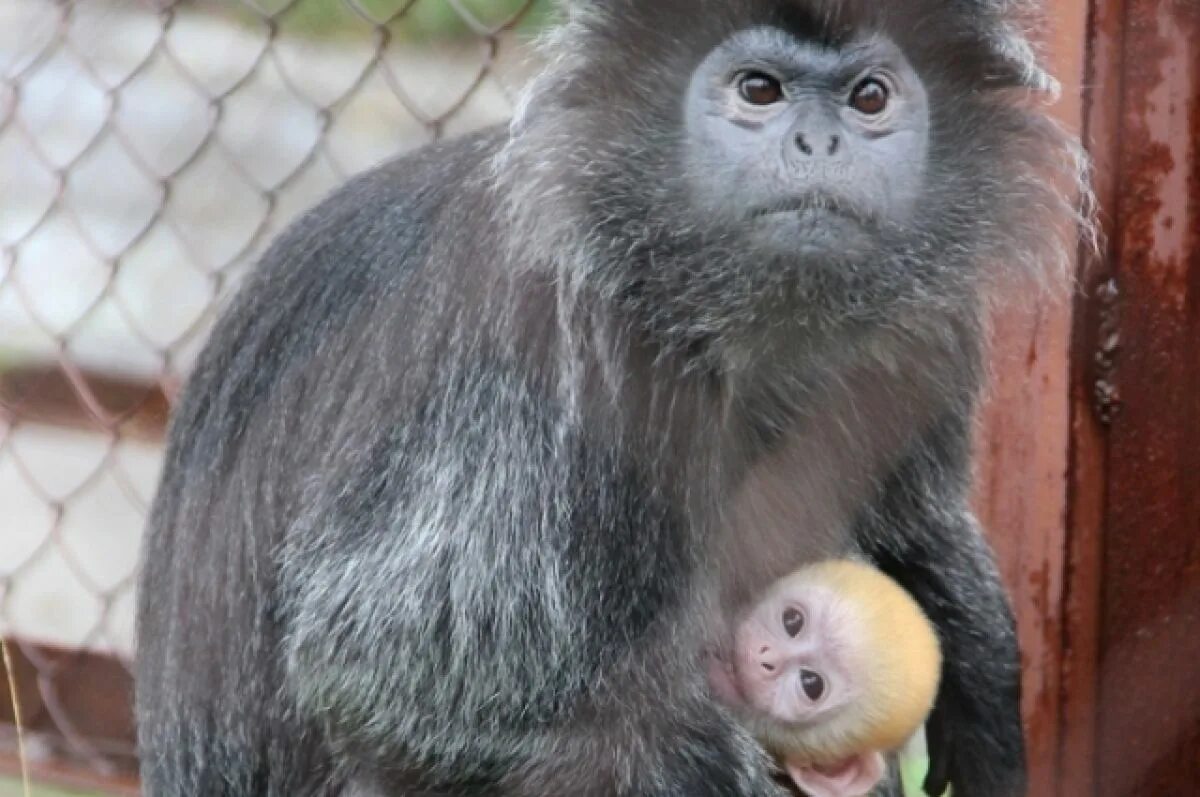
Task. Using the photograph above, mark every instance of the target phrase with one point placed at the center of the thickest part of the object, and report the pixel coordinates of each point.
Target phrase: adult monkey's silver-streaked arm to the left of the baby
(483, 598)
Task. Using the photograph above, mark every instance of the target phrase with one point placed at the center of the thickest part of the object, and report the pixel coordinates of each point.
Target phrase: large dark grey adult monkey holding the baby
(483, 446)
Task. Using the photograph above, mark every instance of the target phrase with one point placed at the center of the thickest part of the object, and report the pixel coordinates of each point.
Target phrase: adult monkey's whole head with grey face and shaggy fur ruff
(713, 165)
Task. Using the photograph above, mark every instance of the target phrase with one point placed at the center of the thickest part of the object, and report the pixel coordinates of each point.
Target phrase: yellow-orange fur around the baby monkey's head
(897, 655)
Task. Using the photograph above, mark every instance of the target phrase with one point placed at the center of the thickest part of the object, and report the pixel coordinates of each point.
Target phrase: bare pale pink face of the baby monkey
(791, 654)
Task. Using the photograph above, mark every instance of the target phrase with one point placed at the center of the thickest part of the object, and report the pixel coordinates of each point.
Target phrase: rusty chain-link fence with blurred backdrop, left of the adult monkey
(148, 152)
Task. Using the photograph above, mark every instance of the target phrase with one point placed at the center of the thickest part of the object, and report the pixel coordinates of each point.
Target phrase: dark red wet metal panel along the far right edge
(1148, 362)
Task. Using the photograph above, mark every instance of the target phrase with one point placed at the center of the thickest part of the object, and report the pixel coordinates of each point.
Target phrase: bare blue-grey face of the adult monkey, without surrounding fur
(805, 148)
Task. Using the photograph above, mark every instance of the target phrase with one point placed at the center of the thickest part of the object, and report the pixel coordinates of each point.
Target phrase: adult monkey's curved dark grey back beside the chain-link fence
(214, 717)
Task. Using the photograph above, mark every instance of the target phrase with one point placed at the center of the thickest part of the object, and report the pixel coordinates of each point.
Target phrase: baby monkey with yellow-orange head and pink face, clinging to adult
(836, 667)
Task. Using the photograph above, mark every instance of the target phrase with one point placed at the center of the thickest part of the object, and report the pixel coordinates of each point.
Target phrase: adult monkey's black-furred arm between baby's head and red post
(923, 535)
